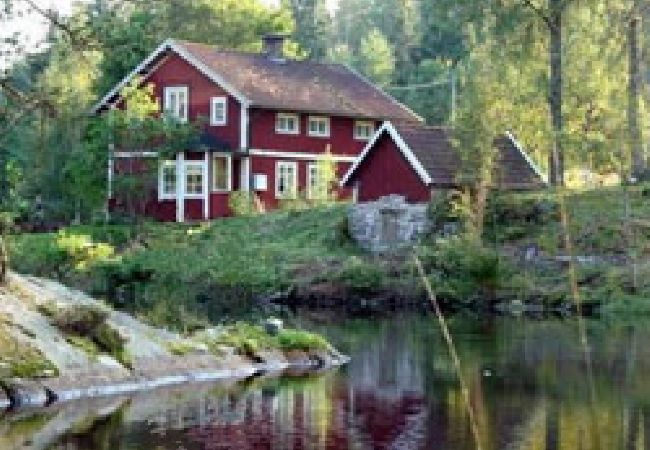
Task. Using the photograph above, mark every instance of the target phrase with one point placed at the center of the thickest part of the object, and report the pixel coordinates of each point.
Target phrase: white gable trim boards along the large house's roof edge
(170, 44)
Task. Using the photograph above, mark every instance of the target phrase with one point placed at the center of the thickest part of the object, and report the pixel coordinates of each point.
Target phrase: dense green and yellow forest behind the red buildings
(569, 78)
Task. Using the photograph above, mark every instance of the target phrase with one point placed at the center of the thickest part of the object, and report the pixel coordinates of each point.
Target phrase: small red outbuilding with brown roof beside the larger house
(414, 161)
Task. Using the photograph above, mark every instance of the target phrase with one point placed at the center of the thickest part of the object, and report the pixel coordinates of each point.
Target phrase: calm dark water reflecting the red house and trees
(527, 380)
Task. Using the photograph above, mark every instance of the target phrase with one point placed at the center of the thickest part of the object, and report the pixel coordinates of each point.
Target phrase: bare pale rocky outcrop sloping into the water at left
(152, 360)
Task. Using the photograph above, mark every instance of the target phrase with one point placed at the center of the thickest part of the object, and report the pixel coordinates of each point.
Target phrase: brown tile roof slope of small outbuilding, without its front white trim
(433, 148)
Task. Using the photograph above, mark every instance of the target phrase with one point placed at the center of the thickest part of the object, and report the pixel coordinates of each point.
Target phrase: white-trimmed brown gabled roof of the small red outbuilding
(431, 153)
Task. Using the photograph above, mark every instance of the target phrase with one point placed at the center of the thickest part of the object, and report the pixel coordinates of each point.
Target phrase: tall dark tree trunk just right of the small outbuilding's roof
(556, 157)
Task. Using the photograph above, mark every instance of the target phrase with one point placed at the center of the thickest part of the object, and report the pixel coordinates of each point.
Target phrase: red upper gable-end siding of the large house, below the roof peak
(174, 71)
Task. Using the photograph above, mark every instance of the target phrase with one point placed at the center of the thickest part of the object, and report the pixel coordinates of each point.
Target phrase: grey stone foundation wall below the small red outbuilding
(387, 224)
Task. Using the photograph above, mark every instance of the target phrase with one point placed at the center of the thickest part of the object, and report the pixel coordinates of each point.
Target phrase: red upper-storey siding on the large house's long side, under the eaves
(264, 137)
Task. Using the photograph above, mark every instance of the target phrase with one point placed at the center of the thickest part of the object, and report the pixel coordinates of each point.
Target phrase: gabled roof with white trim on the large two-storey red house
(305, 86)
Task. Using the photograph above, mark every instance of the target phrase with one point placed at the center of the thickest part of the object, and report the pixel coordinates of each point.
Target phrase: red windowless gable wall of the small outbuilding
(385, 171)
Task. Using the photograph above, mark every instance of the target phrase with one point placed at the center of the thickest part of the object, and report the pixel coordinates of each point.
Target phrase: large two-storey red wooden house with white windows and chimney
(270, 119)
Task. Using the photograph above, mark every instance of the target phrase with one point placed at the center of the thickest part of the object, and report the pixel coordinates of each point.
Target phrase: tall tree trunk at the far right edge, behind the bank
(634, 87)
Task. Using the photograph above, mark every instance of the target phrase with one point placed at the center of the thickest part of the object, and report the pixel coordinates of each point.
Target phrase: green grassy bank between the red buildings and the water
(184, 275)
